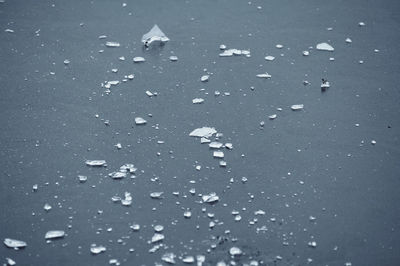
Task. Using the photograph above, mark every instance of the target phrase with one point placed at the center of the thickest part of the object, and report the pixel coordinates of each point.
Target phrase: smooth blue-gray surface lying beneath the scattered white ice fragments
(49, 128)
